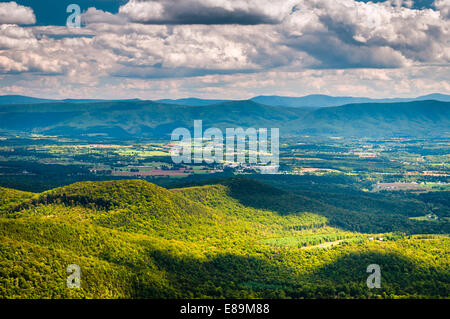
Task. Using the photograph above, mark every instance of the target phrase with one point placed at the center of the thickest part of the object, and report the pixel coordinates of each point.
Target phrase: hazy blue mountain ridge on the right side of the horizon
(421, 118)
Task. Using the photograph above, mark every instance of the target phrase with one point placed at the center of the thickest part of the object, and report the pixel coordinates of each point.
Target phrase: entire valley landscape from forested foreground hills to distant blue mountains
(141, 226)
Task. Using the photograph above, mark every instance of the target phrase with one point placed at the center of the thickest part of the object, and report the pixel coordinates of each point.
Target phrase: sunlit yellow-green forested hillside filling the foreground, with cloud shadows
(234, 238)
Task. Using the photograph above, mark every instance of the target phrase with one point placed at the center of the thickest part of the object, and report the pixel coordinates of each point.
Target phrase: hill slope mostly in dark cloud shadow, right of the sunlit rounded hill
(255, 199)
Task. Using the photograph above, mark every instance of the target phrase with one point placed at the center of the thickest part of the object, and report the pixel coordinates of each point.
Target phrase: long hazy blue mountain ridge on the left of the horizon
(140, 119)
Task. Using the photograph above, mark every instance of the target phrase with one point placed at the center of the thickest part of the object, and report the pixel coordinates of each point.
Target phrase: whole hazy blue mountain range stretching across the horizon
(146, 119)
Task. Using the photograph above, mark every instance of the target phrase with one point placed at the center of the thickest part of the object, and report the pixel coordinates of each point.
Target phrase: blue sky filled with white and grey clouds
(224, 49)
